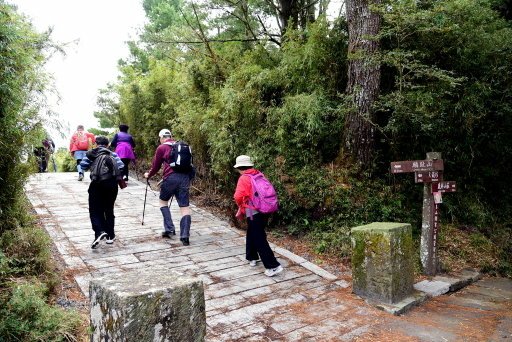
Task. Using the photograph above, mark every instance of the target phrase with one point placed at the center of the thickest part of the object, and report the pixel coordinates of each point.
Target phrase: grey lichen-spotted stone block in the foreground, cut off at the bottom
(147, 305)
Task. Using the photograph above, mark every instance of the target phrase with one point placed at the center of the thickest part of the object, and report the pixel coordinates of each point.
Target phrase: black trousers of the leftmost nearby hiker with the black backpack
(102, 196)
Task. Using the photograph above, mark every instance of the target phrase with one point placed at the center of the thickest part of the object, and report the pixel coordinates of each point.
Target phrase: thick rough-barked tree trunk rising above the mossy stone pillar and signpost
(363, 80)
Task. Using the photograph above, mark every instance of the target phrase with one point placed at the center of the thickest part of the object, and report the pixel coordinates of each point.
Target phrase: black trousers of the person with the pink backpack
(256, 242)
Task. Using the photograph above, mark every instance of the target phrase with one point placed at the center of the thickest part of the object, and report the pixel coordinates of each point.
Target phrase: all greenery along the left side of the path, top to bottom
(27, 272)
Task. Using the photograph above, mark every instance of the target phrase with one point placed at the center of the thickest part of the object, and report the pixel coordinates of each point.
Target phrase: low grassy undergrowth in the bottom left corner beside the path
(28, 279)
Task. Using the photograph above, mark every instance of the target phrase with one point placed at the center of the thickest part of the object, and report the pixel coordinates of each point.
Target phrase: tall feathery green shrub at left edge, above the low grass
(21, 55)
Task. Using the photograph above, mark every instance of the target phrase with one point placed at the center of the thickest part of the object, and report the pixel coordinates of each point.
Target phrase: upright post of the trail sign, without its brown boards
(428, 246)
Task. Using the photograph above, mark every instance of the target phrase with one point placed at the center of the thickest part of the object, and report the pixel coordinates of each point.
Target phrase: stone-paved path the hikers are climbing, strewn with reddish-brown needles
(304, 303)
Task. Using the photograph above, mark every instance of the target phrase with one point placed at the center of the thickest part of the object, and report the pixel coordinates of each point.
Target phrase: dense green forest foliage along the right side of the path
(225, 77)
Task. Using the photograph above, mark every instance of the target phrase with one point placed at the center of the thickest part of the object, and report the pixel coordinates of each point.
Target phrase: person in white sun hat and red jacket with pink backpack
(256, 198)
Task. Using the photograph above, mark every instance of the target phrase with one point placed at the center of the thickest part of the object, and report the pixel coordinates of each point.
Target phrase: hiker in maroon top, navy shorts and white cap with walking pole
(177, 173)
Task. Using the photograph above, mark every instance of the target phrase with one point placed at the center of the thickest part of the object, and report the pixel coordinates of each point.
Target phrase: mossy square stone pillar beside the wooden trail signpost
(382, 261)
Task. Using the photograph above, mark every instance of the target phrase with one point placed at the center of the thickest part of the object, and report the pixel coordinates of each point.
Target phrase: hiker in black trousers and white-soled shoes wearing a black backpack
(105, 169)
